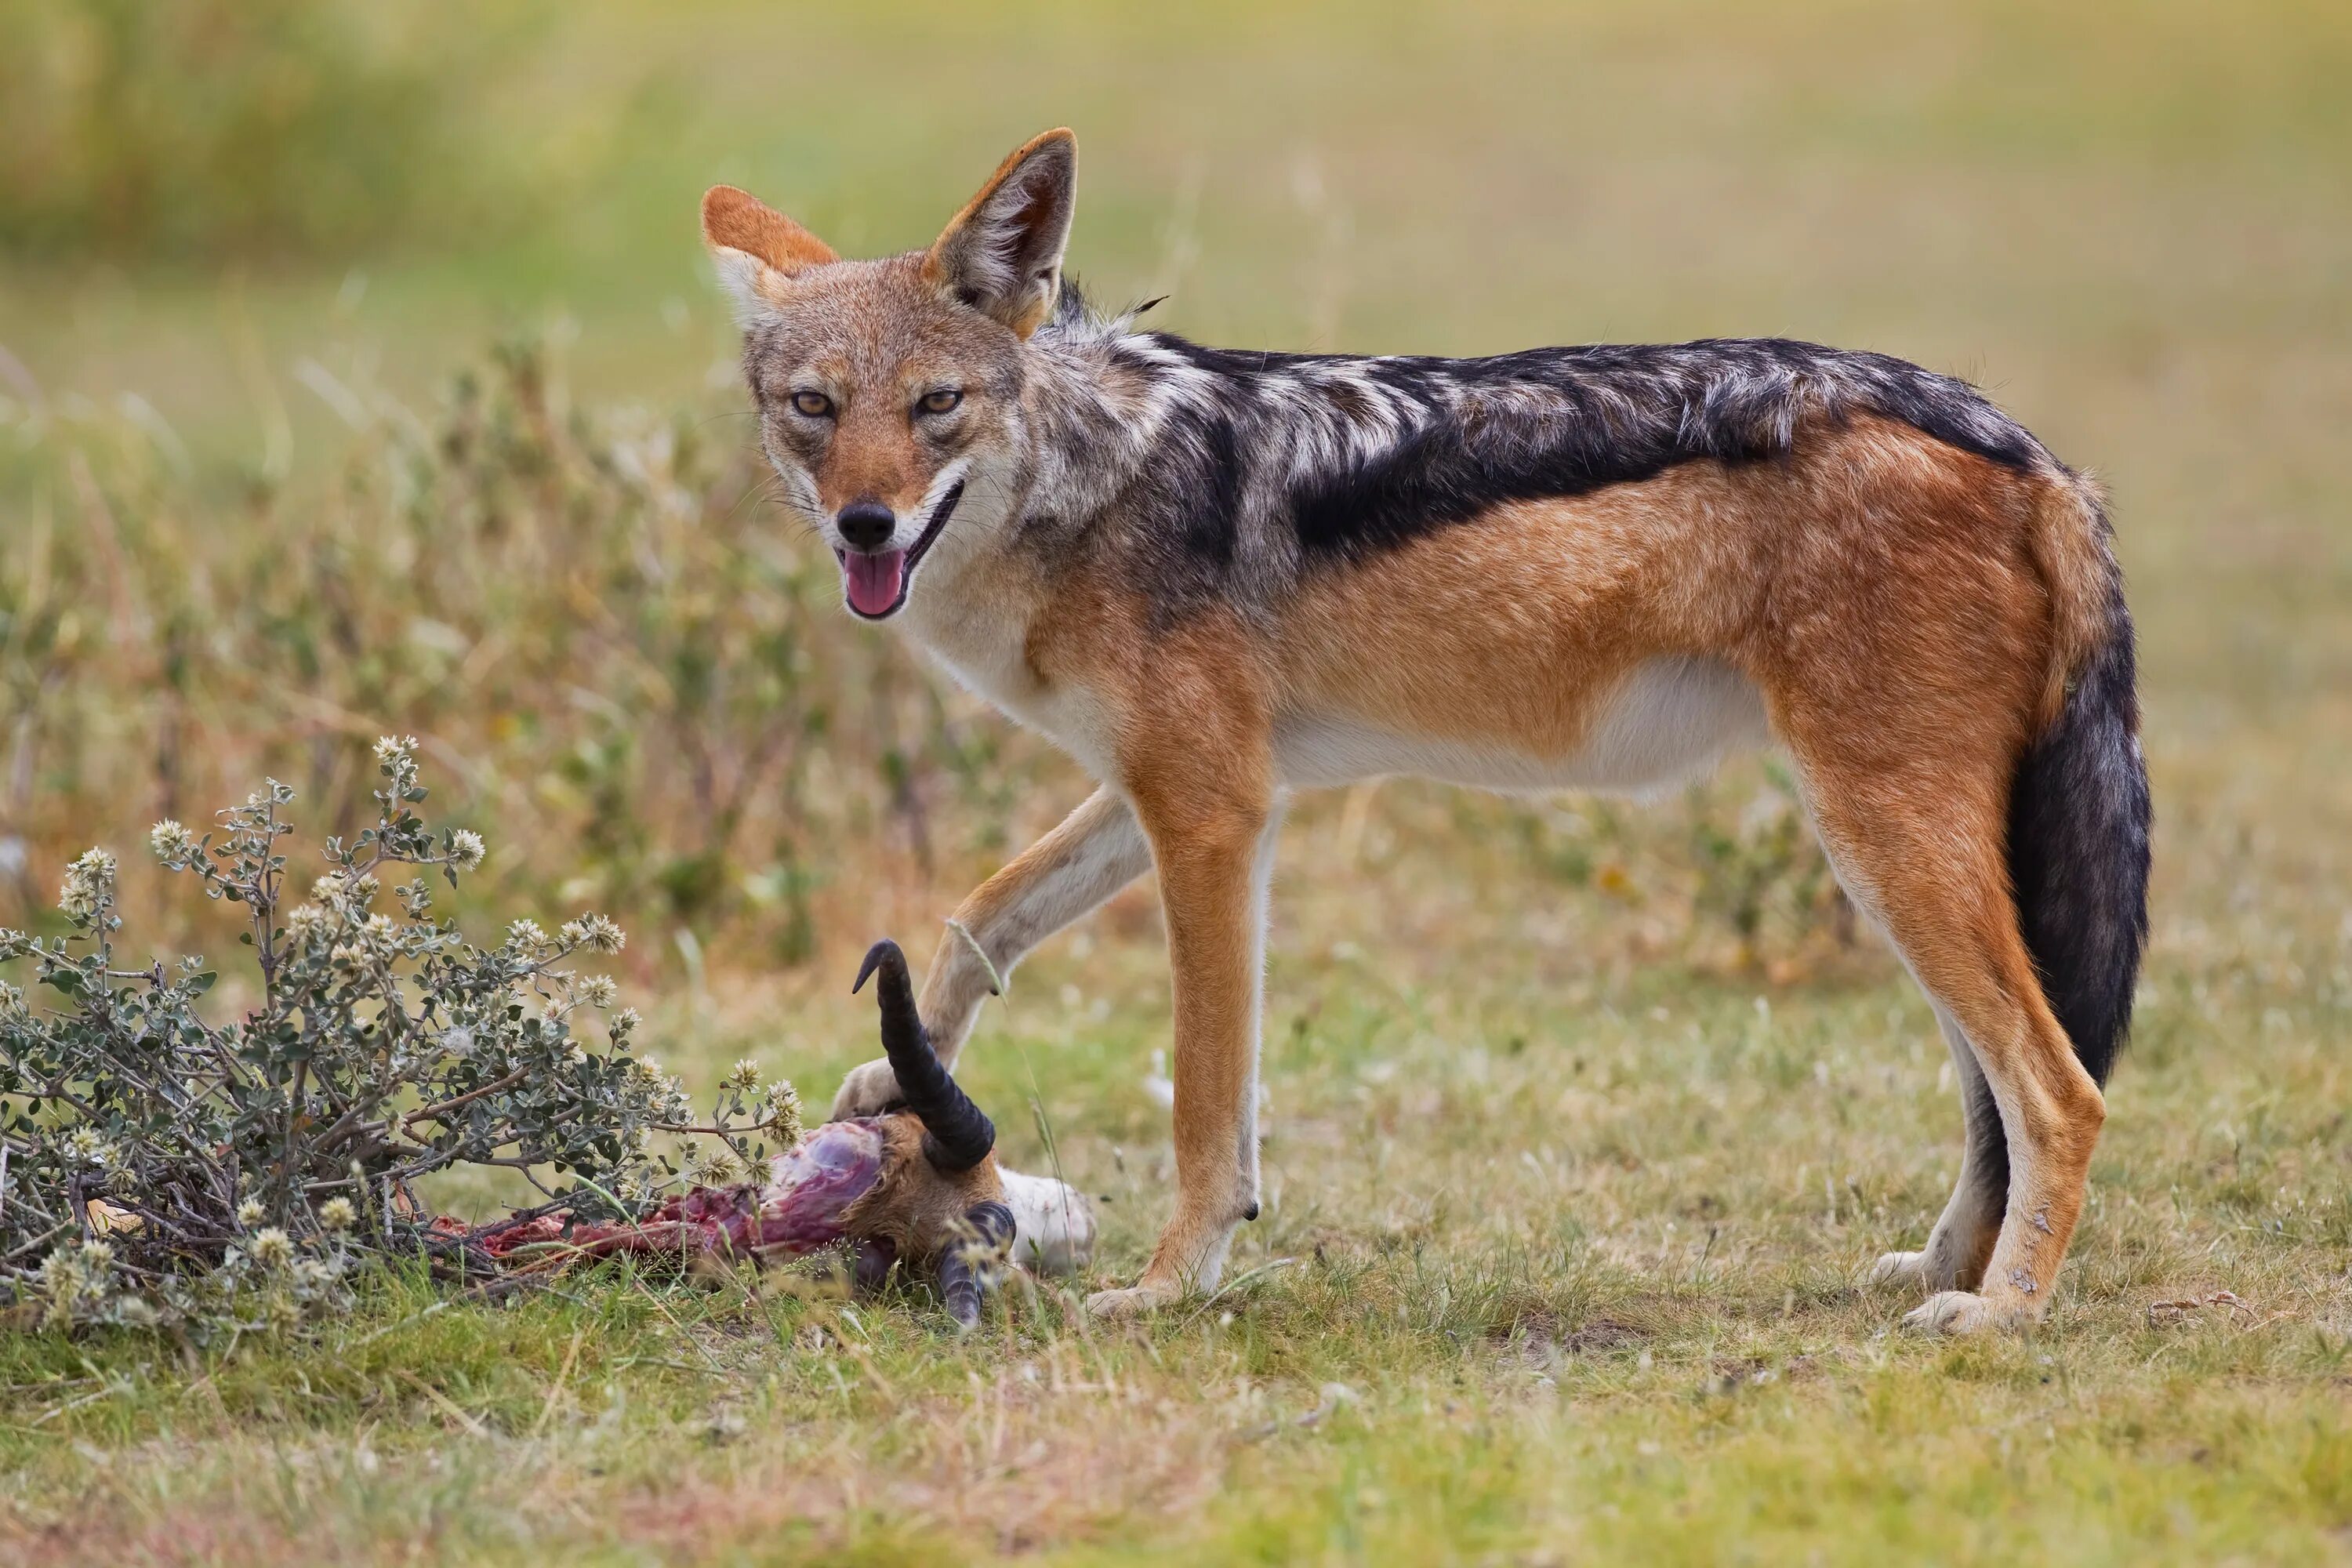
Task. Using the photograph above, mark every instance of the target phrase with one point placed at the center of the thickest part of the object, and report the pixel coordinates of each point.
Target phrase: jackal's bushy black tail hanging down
(2078, 850)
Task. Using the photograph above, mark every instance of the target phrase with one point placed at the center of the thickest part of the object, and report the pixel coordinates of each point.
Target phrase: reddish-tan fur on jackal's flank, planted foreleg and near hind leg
(1887, 596)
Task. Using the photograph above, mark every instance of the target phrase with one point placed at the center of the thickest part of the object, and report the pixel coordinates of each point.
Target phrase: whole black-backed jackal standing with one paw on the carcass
(1222, 577)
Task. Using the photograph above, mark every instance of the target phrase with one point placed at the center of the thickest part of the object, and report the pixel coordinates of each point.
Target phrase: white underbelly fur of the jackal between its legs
(1666, 721)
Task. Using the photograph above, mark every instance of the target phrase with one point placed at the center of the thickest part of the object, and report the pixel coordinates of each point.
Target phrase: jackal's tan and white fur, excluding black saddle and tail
(1906, 617)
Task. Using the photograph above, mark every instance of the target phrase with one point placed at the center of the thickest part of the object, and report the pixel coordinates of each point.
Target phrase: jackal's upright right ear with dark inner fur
(1003, 253)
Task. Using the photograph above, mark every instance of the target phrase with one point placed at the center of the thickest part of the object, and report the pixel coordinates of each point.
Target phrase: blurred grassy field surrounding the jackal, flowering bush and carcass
(361, 375)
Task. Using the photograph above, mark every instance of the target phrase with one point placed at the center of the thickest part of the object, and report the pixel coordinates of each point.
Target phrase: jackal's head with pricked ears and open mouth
(890, 391)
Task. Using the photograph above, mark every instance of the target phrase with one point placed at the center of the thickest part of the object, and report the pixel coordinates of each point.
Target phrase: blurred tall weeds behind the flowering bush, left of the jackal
(624, 662)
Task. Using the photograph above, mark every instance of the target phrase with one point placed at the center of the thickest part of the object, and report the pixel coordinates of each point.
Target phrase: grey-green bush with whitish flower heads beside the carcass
(163, 1167)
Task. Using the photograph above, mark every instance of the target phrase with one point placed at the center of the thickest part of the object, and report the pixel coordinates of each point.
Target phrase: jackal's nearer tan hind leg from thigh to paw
(1906, 659)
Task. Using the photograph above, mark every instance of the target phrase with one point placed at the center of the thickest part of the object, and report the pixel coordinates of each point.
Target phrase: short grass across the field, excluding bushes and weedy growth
(1565, 1202)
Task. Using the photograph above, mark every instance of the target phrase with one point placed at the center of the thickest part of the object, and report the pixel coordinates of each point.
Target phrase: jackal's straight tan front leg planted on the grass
(1215, 873)
